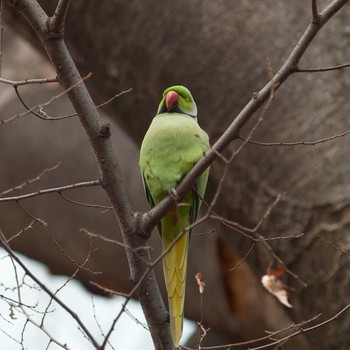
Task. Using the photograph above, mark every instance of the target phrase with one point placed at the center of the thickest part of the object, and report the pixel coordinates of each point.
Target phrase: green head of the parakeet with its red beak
(178, 99)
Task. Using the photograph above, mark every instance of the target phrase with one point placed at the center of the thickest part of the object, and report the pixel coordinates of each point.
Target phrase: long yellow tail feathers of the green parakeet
(175, 267)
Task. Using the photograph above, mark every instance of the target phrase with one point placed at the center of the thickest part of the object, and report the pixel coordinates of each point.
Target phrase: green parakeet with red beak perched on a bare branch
(172, 145)
